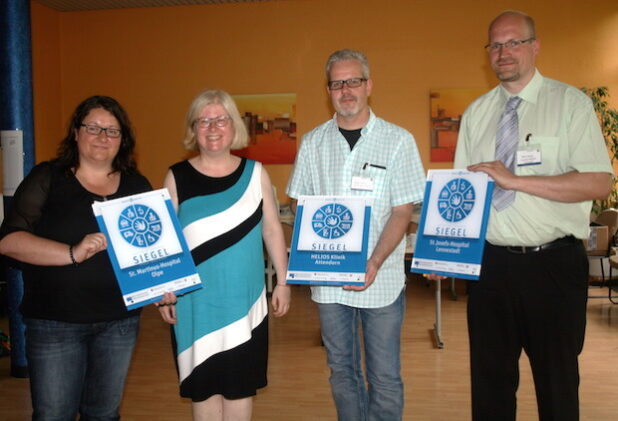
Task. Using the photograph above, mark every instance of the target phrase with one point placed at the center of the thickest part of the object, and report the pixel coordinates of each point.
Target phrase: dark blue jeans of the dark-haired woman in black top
(78, 368)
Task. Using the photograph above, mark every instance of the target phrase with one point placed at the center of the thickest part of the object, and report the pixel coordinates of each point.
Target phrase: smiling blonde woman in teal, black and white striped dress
(226, 207)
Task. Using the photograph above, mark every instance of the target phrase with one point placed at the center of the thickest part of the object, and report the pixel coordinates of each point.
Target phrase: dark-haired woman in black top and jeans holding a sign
(79, 335)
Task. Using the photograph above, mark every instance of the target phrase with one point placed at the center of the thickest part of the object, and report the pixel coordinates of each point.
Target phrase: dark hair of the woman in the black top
(124, 161)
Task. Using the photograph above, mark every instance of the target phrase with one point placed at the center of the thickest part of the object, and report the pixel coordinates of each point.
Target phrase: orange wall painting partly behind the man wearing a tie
(447, 106)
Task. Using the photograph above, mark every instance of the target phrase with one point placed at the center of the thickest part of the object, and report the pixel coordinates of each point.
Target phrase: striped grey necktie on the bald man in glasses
(507, 139)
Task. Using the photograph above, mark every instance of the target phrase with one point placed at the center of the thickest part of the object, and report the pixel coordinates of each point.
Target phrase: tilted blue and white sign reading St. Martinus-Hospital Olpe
(146, 247)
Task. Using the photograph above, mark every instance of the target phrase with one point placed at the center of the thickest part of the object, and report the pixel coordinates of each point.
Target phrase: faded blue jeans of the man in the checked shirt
(383, 398)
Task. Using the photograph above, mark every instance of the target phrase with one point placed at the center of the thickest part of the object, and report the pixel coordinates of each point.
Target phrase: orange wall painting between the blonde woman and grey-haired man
(271, 123)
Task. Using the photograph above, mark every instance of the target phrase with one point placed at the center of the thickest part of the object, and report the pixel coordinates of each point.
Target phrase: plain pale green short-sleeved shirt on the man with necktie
(559, 120)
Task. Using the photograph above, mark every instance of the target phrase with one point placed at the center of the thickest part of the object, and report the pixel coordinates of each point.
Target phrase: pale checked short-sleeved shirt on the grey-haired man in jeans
(325, 166)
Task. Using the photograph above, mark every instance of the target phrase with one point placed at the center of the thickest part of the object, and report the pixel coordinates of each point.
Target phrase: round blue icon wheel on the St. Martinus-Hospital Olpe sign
(139, 225)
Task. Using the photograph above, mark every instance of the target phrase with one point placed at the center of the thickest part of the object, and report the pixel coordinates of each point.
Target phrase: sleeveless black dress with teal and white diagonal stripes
(221, 338)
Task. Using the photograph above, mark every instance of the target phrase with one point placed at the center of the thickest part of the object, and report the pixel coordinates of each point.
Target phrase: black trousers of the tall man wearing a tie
(535, 302)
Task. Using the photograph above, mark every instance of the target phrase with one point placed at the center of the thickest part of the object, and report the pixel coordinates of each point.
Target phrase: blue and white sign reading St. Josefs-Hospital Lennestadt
(451, 234)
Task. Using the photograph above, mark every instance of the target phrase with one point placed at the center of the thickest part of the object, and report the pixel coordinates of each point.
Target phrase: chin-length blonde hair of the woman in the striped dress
(222, 98)
